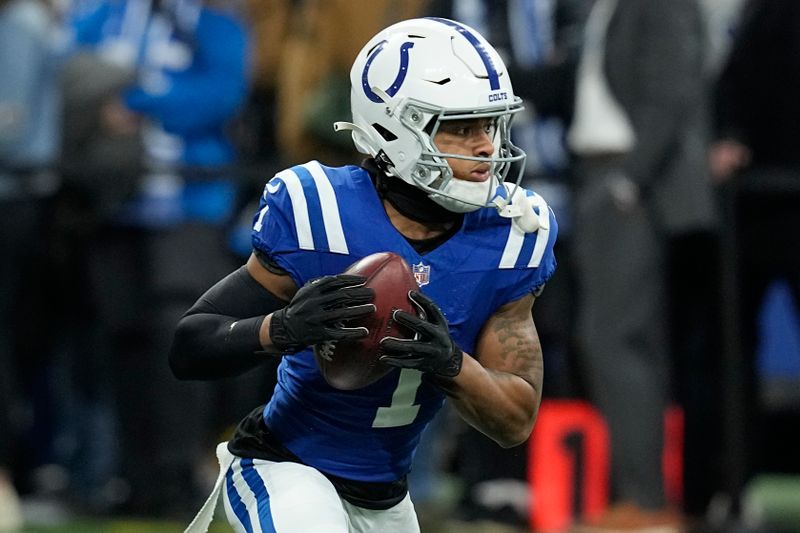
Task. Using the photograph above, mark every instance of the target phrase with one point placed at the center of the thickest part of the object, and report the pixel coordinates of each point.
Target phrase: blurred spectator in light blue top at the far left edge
(29, 140)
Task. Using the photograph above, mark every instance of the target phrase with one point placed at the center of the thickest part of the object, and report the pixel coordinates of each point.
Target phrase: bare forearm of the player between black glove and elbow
(501, 405)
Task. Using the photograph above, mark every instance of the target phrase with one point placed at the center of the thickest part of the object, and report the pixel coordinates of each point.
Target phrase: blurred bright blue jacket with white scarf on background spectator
(189, 62)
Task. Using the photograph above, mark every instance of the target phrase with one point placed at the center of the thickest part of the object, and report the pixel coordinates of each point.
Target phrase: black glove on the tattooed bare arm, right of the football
(432, 349)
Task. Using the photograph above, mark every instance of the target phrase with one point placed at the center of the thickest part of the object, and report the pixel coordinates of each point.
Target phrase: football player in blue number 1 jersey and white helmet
(431, 103)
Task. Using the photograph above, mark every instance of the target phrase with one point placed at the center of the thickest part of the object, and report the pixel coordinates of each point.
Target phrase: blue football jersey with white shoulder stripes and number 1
(315, 220)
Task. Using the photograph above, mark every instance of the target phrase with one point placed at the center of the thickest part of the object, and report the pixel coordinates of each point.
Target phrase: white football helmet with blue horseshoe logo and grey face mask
(410, 78)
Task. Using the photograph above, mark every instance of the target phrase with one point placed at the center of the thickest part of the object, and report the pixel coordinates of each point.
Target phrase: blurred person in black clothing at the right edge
(755, 156)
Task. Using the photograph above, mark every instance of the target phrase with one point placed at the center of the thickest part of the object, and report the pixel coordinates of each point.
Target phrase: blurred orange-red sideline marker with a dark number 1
(568, 465)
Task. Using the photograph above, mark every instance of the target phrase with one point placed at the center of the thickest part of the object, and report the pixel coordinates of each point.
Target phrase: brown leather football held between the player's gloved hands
(349, 365)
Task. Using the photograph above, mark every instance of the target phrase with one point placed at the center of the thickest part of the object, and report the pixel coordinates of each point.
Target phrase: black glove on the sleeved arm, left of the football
(318, 311)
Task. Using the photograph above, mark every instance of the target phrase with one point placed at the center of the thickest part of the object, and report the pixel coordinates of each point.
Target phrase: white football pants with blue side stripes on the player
(268, 497)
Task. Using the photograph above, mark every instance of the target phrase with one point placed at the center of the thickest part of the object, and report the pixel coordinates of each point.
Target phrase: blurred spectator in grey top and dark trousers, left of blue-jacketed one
(74, 413)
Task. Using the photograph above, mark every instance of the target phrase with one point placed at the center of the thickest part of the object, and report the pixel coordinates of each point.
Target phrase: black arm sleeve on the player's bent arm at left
(218, 337)
